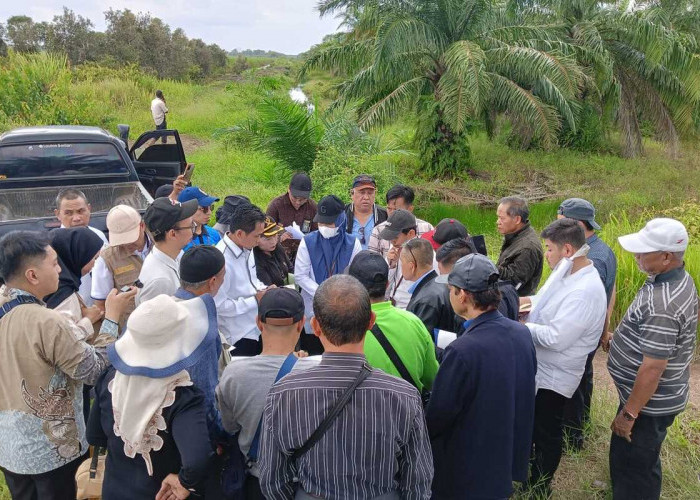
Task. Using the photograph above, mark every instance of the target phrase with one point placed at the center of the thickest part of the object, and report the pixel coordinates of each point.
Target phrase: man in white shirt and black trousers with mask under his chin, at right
(565, 322)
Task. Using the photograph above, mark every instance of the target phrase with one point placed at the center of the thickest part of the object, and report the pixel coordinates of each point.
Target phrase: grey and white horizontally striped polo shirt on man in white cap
(661, 323)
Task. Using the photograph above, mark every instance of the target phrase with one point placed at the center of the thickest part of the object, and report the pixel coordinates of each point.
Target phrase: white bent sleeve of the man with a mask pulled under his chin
(572, 319)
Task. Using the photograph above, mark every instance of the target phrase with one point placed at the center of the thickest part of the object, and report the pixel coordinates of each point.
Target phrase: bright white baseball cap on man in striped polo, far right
(659, 235)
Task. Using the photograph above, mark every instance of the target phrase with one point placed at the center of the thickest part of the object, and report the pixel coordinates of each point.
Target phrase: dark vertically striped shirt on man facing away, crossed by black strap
(377, 445)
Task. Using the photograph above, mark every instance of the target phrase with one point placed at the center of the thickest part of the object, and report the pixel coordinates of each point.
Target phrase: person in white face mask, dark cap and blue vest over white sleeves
(322, 254)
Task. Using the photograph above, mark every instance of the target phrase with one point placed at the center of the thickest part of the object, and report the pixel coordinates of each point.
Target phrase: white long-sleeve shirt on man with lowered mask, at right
(566, 327)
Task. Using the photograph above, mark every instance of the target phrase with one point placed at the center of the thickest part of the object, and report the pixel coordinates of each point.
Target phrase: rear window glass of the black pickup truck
(25, 161)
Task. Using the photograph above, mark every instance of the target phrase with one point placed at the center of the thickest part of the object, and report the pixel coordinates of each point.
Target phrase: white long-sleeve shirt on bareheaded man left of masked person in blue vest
(236, 305)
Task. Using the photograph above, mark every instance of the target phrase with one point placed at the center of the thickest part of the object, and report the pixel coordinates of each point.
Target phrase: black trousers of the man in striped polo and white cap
(635, 468)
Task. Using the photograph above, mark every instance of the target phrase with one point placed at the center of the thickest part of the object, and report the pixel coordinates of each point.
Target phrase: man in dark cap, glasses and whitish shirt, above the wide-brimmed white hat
(171, 225)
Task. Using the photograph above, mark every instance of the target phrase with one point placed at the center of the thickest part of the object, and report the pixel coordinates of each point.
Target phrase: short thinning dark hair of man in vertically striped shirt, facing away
(342, 308)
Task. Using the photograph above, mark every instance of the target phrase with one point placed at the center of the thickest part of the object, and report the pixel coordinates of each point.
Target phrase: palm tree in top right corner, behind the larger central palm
(643, 69)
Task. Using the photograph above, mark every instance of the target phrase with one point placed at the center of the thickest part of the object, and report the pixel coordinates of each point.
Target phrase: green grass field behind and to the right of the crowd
(626, 192)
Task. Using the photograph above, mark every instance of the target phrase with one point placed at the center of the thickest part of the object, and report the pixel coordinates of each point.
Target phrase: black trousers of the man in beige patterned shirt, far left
(58, 484)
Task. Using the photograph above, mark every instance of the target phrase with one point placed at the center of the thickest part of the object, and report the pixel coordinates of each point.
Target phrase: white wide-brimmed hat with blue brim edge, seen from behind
(162, 336)
